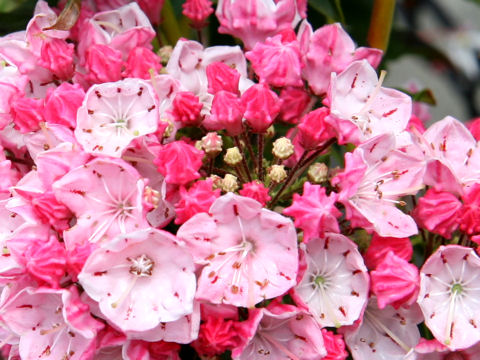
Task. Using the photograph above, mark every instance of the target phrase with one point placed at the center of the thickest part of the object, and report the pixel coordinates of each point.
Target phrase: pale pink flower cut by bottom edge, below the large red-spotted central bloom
(284, 333)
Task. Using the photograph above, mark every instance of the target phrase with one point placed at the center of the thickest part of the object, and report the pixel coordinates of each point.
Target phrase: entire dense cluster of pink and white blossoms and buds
(258, 202)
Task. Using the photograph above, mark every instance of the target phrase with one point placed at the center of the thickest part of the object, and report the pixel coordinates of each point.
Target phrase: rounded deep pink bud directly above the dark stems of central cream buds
(262, 106)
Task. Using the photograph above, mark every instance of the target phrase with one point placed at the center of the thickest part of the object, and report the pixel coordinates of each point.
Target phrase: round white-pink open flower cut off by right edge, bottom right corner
(449, 288)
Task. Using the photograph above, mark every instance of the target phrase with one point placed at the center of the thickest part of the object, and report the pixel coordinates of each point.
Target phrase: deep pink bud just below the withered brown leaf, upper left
(57, 56)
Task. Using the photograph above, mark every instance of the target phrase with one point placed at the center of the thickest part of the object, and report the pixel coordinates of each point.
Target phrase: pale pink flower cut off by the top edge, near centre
(254, 20)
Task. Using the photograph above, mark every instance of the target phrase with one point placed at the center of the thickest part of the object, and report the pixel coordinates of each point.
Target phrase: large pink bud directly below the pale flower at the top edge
(276, 62)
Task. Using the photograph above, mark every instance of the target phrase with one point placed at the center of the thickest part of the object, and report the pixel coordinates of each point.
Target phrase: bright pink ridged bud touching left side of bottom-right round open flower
(395, 282)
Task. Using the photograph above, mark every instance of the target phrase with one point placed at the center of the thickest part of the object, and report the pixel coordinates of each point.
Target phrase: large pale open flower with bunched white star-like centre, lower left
(121, 276)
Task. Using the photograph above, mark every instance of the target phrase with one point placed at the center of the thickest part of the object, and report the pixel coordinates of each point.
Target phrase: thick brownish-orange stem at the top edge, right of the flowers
(381, 24)
